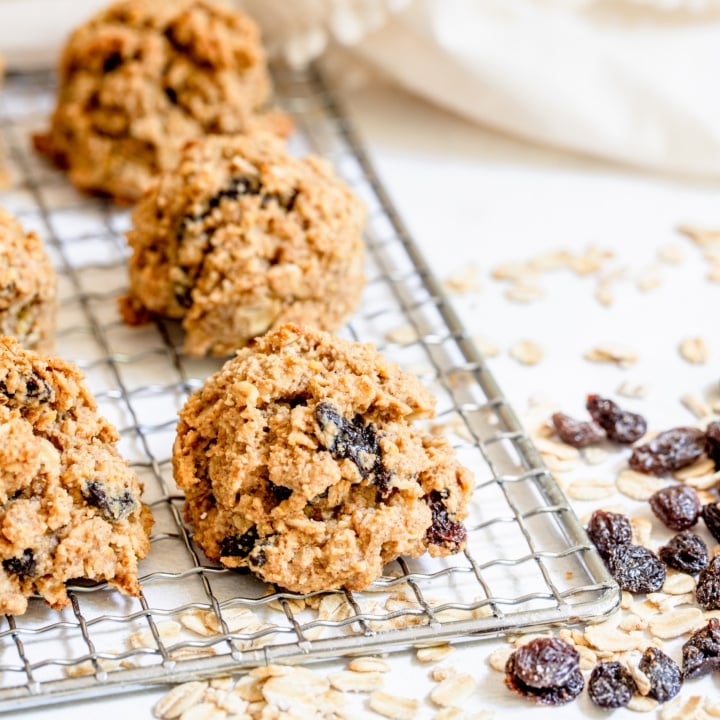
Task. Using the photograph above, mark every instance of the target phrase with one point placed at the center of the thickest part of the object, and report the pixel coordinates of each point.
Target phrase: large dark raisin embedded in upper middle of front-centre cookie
(353, 440)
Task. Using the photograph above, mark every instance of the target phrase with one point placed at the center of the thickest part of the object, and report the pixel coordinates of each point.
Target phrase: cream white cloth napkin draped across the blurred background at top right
(635, 81)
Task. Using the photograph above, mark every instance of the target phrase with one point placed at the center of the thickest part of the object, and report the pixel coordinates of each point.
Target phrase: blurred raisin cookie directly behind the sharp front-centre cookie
(240, 238)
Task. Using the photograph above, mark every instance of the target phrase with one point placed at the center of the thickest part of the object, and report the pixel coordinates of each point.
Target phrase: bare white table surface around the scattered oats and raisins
(471, 197)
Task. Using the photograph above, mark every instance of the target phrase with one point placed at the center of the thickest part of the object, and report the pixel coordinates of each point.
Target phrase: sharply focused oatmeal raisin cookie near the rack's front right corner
(300, 461)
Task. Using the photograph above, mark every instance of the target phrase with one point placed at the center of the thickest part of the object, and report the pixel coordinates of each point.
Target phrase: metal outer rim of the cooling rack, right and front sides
(605, 600)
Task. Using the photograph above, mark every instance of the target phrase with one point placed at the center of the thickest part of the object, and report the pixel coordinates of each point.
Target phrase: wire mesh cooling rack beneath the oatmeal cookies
(527, 563)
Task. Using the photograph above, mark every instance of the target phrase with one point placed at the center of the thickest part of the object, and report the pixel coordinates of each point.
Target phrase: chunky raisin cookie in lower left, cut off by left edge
(69, 505)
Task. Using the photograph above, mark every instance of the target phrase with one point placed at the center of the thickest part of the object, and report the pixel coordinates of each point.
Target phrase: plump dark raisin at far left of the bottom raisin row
(546, 662)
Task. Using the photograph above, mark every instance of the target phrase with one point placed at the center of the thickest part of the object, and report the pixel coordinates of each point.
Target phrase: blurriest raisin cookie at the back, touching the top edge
(141, 77)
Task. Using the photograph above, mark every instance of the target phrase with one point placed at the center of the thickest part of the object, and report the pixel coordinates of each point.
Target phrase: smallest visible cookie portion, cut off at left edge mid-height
(28, 286)
